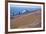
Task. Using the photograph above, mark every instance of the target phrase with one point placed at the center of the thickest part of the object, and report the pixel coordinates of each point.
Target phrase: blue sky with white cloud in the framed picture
(22, 8)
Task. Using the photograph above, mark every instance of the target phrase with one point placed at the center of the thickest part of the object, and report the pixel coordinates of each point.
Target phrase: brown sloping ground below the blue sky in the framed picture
(30, 20)
